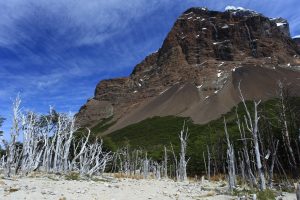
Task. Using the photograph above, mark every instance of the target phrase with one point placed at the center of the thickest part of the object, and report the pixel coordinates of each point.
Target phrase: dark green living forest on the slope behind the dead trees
(153, 134)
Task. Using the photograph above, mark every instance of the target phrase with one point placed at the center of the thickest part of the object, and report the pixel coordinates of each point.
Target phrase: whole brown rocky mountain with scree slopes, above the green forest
(196, 72)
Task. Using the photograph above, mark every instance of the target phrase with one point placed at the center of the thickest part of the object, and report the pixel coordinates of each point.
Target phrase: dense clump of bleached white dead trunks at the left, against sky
(47, 146)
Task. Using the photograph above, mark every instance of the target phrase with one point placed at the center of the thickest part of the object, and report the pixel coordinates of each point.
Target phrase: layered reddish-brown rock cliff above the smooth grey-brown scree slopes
(202, 49)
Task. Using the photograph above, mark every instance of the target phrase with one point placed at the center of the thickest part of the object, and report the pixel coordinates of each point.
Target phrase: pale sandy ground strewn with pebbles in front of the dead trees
(49, 187)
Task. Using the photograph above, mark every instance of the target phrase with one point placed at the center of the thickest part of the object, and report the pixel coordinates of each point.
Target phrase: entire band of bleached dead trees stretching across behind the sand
(261, 159)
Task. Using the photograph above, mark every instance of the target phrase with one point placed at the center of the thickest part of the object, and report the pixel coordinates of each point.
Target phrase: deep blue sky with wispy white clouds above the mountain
(54, 52)
